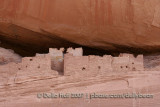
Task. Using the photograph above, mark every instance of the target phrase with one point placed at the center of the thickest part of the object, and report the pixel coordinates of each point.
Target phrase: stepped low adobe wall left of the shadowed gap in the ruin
(41, 62)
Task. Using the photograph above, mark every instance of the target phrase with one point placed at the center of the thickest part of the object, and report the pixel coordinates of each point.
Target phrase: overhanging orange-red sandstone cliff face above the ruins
(106, 24)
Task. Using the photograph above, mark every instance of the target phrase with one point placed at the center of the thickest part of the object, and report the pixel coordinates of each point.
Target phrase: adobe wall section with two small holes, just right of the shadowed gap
(87, 65)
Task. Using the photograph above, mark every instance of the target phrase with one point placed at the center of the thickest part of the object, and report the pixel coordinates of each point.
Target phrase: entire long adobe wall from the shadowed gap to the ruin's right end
(94, 65)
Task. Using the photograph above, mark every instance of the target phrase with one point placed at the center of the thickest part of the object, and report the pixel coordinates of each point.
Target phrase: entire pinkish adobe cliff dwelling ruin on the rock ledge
(74, 63)
